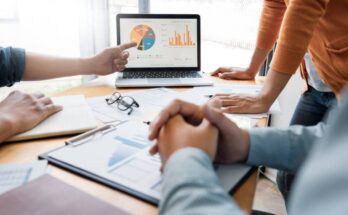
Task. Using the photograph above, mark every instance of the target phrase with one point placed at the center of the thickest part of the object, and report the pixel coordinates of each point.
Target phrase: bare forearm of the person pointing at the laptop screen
(38, 67)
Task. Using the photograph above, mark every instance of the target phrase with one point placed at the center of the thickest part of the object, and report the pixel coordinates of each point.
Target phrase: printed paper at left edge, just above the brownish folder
(14, 175)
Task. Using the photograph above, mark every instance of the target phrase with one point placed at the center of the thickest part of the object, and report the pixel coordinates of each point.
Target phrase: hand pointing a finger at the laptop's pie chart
(111, 59)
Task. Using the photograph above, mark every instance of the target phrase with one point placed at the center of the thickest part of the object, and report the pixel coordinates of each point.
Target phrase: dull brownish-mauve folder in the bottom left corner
(48, 195)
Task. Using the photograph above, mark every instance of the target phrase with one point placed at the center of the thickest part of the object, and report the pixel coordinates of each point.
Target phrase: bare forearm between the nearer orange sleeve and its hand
(273, 86)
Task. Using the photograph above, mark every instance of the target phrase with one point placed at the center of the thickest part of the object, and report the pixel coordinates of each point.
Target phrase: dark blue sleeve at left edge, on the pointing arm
(12, 65)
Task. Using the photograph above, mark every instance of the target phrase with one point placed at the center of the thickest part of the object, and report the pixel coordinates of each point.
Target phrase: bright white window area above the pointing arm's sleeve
(43, 26)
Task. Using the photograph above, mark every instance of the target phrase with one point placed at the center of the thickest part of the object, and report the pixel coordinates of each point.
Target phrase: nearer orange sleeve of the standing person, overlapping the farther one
(300, 21)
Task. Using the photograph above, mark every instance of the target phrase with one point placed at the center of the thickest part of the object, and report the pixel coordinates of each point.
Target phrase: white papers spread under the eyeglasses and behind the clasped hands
(152, 101)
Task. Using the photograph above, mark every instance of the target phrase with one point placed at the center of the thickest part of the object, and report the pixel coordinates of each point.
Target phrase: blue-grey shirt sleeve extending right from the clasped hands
(283, 149)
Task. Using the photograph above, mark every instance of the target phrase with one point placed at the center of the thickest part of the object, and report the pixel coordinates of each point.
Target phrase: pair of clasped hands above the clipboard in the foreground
(182, 124)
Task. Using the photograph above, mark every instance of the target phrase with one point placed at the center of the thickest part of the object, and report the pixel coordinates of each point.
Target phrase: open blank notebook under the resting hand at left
(75, 117)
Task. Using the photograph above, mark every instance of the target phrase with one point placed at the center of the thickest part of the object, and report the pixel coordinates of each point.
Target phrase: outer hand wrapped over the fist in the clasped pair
(233, 142)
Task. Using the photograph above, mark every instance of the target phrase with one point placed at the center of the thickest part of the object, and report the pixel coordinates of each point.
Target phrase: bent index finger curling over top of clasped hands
(191, 112)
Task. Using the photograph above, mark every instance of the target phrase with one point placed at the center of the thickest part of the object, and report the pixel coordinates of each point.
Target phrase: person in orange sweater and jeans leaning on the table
(319, 27)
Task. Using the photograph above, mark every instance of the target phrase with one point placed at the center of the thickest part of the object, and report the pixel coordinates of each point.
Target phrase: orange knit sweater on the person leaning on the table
(319, 26)
